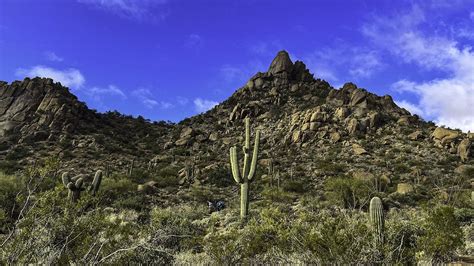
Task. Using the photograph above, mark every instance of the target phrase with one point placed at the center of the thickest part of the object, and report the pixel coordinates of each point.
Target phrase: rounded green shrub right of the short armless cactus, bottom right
(442, 236)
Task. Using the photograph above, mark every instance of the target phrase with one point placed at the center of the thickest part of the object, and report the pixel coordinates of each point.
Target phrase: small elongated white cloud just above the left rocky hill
(71, 77)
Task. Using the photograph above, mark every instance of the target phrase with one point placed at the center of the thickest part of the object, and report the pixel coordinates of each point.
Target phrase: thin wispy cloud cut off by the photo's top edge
(134, 9)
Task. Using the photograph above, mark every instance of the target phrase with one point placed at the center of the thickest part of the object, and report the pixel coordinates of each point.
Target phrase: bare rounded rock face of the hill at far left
(39, 109)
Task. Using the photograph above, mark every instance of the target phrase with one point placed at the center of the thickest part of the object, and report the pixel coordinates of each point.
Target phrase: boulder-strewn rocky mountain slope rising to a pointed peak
(309, 129)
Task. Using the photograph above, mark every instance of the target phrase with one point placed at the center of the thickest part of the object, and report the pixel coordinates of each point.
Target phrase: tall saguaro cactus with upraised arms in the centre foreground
(248, 170)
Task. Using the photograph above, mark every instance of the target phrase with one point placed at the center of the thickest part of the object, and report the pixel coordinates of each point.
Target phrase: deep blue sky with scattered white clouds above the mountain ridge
(170, 59)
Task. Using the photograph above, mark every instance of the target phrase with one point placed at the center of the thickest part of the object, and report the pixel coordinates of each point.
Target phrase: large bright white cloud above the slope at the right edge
(448, 100)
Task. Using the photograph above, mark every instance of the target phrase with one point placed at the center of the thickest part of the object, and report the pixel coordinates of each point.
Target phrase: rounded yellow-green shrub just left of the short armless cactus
(349, 192)
